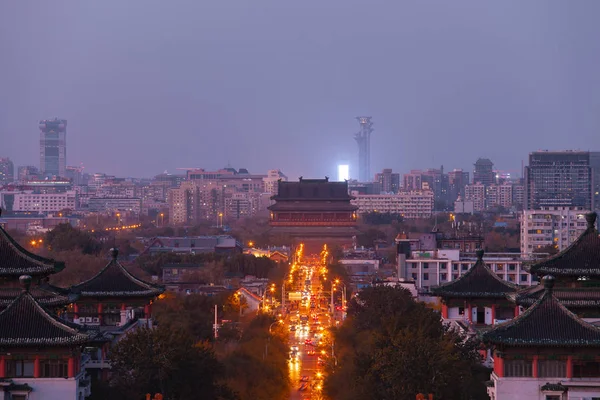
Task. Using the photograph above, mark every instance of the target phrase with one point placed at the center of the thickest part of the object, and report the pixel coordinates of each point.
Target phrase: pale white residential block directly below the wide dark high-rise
(554, 226)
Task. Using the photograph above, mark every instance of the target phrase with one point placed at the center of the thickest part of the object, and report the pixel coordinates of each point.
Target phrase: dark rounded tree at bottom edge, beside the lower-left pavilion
(166, 361)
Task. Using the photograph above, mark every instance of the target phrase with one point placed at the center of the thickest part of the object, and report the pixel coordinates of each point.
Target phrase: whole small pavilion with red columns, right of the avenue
(478, 296)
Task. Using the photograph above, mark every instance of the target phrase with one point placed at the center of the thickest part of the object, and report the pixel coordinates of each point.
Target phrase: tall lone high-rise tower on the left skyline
(53, 147)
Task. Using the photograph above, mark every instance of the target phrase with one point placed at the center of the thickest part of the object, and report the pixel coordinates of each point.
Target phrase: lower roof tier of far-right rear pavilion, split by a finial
(569, 297)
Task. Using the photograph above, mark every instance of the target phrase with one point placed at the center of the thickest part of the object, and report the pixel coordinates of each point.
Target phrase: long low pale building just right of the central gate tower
(410, 204)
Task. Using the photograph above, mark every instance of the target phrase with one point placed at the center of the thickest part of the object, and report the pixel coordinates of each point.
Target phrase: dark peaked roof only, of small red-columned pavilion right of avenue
(478, 282)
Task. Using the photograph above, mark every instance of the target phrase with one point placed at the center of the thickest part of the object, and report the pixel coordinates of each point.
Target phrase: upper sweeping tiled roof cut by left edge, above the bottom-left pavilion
(16, 261)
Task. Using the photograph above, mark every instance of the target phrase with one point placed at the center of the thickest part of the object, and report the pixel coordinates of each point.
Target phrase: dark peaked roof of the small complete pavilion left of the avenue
(115, 281)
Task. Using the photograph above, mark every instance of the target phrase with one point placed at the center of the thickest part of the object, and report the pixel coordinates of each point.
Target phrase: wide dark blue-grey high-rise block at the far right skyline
(560, 179)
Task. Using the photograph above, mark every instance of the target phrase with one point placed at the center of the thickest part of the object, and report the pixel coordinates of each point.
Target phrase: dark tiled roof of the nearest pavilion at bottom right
(547, 323)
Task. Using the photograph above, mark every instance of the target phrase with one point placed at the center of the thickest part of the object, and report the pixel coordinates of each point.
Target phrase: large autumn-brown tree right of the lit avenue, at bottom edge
(391, 347)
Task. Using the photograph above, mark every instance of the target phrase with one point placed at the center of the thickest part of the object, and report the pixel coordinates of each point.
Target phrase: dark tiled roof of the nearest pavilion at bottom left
(26, 323)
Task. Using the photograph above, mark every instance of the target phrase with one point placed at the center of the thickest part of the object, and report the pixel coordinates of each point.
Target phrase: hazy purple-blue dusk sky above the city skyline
(154, 85)
